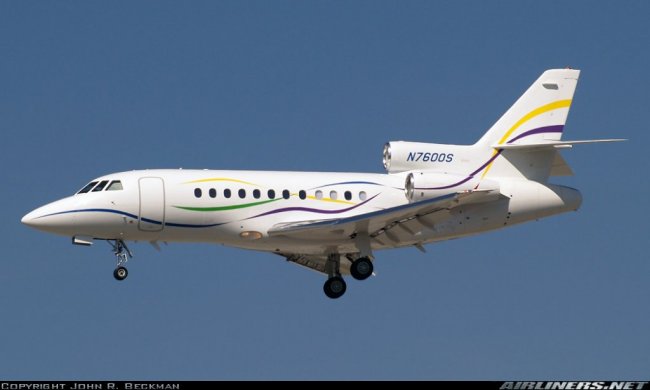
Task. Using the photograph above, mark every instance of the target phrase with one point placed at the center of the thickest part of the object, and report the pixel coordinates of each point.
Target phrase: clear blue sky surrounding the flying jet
(92, 87)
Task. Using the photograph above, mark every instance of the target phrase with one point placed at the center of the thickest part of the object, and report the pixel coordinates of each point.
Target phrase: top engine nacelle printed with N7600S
(400, 156)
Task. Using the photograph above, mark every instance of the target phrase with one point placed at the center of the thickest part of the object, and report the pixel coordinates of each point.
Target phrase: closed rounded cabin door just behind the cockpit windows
(152, 204)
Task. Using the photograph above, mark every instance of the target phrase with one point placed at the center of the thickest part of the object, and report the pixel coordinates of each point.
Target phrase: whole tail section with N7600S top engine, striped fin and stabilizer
(523, 143)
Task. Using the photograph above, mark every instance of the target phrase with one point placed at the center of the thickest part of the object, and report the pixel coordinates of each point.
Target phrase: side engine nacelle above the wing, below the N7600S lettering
(425, 185)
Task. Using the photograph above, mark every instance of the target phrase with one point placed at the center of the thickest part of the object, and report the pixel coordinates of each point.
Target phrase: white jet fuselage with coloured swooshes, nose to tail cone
(237, 208)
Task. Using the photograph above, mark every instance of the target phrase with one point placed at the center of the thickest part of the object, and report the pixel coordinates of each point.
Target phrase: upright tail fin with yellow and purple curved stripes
(538, 116)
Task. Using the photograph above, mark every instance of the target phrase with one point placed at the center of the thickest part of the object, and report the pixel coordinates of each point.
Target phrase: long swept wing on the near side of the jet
(379, 222)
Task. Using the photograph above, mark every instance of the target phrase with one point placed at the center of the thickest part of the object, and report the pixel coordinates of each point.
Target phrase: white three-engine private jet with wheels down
(334, 223)
